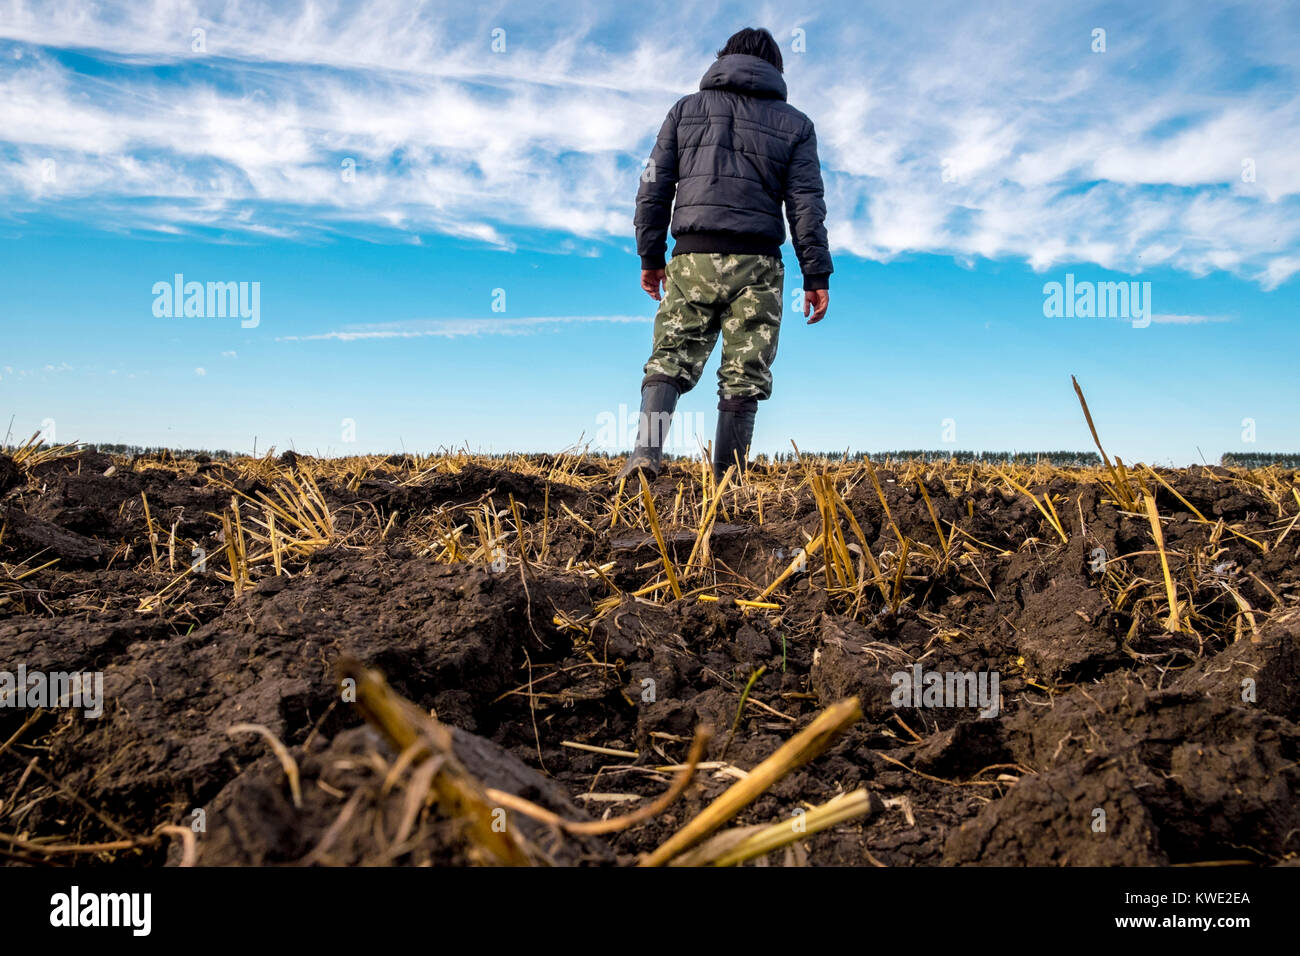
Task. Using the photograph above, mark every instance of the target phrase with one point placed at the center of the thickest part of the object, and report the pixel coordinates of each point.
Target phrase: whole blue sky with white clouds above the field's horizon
(443, 241)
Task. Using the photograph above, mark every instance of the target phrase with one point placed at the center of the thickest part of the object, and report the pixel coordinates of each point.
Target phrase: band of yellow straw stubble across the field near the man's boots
(293, 512)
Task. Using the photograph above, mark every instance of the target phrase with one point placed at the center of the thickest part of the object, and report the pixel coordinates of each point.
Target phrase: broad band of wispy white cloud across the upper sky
(990, 131)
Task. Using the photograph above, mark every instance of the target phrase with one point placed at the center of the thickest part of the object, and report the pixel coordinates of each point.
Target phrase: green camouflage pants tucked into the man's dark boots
(736, 296)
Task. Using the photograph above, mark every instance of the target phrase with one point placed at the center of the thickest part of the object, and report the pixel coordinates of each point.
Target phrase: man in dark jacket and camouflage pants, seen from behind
(731, 155)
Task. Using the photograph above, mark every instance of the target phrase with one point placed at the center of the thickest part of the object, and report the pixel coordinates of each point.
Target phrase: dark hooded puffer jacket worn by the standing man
(733, 154)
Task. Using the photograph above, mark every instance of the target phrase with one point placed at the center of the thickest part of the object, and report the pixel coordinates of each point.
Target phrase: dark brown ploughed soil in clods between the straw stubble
(1116, 743)
